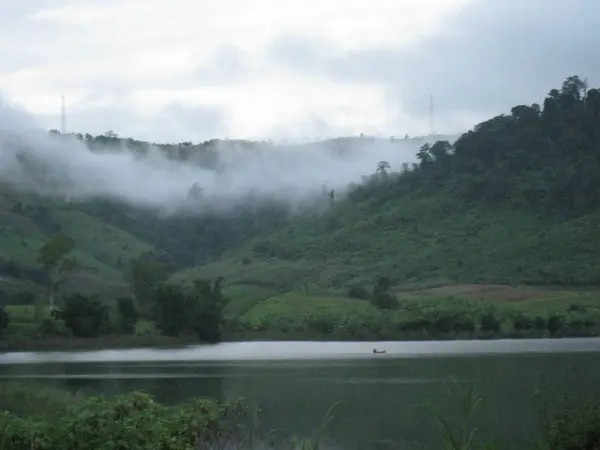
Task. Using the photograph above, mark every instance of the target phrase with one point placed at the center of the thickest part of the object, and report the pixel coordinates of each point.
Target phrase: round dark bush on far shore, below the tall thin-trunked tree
(86, 317)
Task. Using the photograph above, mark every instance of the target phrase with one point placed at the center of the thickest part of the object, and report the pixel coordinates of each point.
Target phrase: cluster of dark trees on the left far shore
(174, 308)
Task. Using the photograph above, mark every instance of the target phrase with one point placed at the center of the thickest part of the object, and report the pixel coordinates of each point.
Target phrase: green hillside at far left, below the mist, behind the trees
(27, 222)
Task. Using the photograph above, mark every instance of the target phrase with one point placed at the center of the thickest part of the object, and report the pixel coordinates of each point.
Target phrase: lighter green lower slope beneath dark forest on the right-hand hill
(414, 239)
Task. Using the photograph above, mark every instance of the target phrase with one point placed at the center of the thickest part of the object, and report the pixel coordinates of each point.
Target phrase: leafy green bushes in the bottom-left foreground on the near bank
(135, 421)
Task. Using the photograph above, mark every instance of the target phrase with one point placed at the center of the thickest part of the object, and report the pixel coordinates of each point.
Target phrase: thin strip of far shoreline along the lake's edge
(115, 342)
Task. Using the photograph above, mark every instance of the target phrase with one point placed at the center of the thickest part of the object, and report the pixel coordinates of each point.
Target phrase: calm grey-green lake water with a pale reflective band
(384, 398)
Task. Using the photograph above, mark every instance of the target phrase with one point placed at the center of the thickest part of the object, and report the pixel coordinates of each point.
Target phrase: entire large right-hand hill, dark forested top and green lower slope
(515, 200)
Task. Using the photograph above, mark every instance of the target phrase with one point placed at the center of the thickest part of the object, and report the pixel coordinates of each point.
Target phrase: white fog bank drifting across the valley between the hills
(34, 161)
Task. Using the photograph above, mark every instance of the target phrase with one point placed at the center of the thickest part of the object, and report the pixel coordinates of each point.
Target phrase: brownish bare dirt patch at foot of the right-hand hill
(496, 292)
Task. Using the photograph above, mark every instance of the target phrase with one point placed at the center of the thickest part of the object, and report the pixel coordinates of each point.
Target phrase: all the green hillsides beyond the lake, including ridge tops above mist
(515, 200)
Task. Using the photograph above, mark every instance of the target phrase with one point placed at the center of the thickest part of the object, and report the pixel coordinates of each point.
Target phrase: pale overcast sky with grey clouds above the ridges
(180, 70)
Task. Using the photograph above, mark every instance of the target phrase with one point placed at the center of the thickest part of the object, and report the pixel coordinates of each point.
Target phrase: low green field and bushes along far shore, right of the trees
(414, 318)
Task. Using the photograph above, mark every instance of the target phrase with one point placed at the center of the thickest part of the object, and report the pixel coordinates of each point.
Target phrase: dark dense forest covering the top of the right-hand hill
(543, 158)
